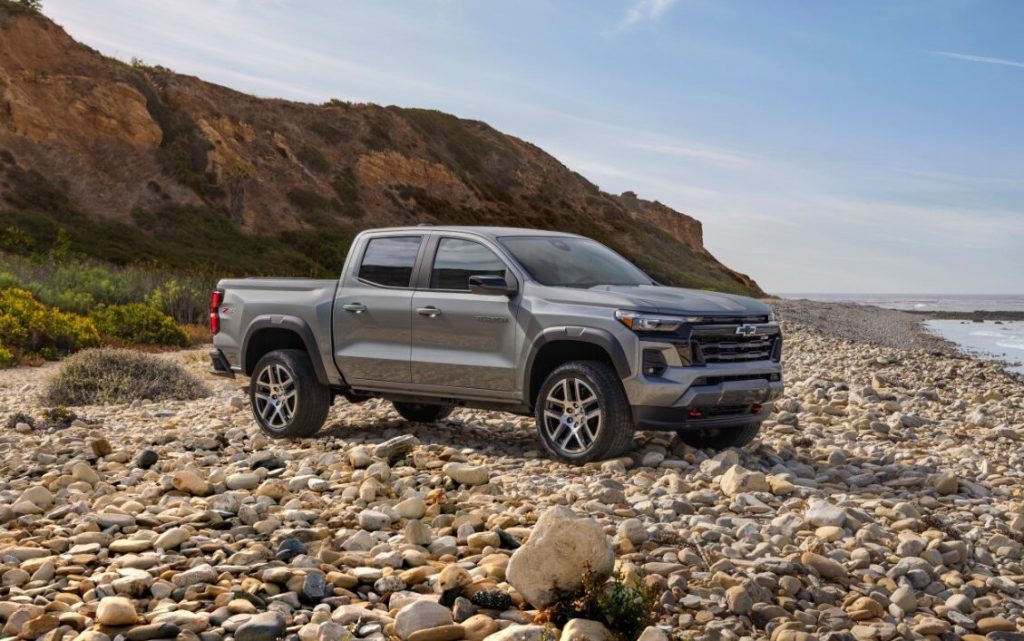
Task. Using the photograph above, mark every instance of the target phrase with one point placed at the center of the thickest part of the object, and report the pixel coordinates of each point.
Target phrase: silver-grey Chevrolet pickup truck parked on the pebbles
(537, 323)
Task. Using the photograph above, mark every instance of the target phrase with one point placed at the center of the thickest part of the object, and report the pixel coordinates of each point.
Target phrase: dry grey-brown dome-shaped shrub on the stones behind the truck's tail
(115, 376)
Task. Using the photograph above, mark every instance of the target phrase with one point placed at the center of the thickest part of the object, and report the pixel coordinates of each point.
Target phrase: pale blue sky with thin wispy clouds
(827, 147)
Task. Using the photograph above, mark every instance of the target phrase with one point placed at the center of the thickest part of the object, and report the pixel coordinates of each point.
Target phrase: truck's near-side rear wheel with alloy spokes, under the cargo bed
(313, 400)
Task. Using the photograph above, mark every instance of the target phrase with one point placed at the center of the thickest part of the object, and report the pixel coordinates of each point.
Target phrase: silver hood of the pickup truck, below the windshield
(668, 301)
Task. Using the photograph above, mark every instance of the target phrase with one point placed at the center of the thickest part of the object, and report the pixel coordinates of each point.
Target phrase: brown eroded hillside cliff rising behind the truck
(125, 144)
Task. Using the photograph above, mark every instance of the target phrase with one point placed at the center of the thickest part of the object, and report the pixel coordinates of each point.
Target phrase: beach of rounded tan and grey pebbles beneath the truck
(884, 500)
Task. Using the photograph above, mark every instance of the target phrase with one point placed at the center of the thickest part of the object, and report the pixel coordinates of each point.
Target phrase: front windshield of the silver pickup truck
(568, 262)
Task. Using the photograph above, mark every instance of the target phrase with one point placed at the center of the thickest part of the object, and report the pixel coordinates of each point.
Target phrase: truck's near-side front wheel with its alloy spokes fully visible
(565, 439)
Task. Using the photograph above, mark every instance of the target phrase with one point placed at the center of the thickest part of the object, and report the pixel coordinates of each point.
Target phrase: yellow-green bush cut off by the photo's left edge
(30, 329)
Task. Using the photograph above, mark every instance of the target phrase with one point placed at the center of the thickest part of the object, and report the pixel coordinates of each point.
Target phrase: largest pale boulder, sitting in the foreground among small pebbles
(562, 547)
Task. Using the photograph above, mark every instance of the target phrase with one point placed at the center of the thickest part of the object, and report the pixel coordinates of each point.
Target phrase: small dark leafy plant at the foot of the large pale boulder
(625, 608)
